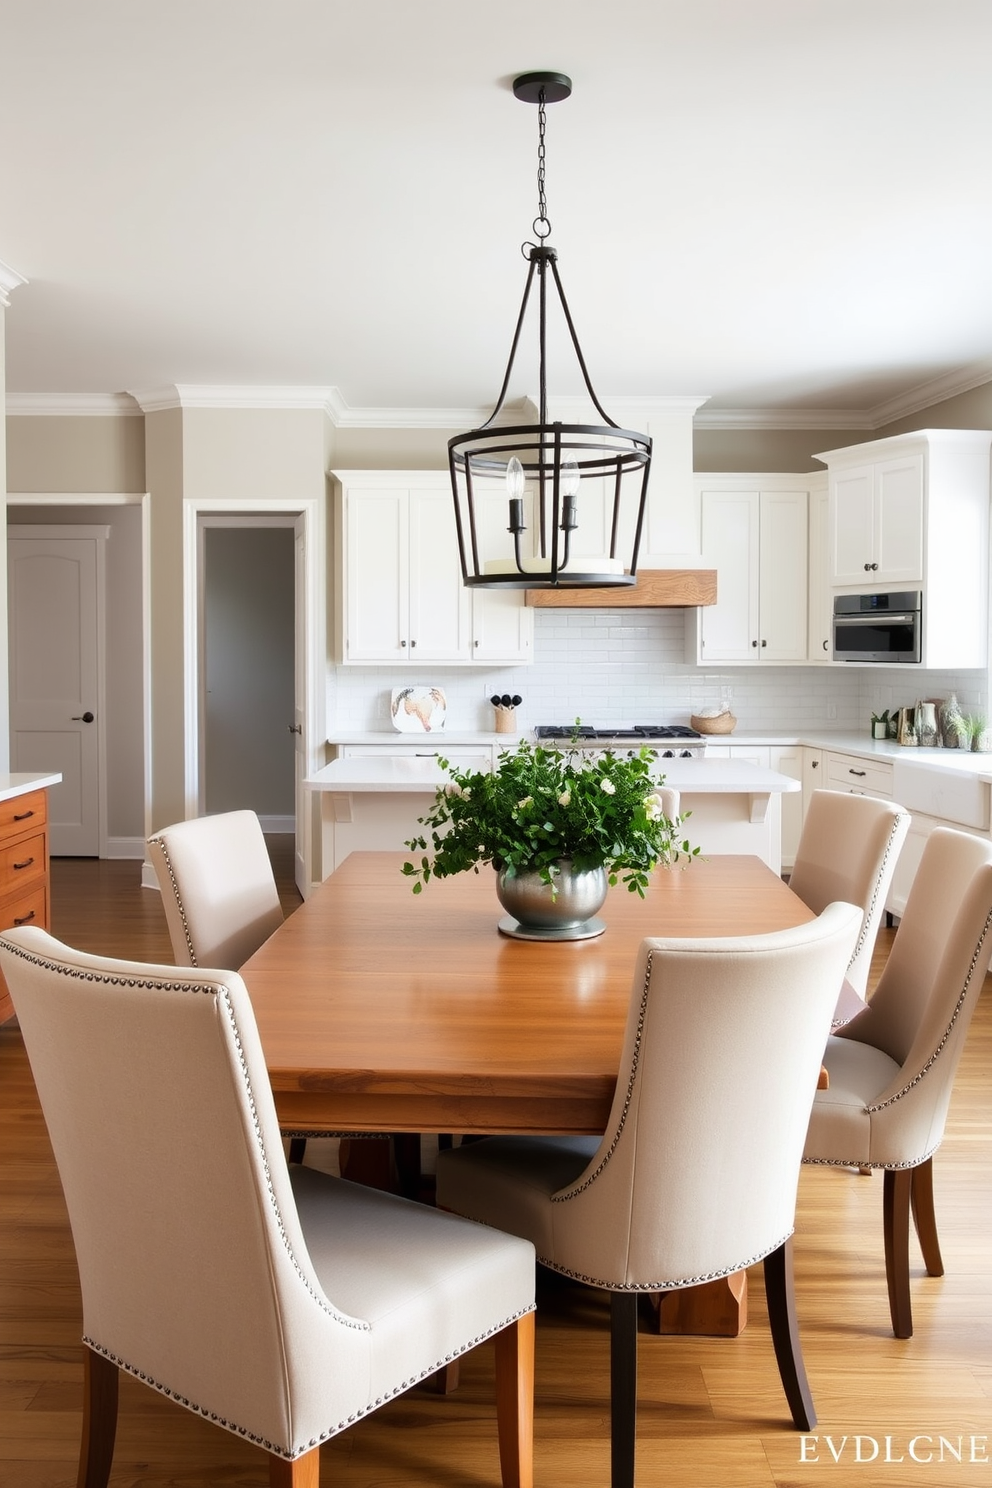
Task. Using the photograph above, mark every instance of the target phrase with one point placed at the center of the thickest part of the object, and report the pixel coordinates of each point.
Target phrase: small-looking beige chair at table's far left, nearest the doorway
(218, 889)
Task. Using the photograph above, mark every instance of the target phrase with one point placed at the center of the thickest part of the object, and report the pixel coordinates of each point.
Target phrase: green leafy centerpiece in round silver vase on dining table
(558, 827)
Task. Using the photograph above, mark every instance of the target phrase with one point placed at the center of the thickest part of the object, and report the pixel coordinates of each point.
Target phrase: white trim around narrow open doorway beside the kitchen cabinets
(313, 602)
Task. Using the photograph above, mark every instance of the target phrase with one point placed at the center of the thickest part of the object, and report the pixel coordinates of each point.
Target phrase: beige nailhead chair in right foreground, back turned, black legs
(697, 1173)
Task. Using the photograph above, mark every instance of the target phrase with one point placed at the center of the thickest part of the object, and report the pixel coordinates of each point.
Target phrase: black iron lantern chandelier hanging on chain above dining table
(548, 505)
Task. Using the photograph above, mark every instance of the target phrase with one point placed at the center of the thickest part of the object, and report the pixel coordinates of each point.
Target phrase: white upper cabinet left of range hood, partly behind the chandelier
(399, 599)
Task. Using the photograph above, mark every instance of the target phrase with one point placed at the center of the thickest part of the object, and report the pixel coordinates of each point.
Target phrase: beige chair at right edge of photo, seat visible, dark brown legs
(892, 1069)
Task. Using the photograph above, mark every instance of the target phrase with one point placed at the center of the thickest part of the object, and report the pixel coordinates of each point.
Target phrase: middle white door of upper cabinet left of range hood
(439, 603)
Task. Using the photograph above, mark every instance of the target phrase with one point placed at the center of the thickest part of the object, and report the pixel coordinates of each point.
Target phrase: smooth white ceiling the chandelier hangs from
(785, 205)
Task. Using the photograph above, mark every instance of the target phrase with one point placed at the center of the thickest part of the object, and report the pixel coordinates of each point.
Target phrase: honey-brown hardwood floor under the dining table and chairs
(712, 1413)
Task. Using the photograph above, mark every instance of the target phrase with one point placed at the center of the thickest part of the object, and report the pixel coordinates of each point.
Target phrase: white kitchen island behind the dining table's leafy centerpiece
(376, 803)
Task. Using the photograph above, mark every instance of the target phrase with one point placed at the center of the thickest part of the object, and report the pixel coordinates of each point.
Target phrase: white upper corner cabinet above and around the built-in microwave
(912, 513)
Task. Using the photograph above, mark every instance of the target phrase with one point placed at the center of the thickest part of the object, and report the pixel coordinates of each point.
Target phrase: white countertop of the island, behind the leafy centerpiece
(416, 775)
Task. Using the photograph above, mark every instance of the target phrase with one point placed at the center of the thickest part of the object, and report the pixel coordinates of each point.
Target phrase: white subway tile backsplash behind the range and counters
(628, 667)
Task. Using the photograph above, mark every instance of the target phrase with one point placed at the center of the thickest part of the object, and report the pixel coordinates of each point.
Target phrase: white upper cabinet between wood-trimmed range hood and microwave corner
(755, 533)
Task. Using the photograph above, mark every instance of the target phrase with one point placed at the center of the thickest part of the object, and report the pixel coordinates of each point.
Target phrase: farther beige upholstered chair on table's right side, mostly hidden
(848, 850)
